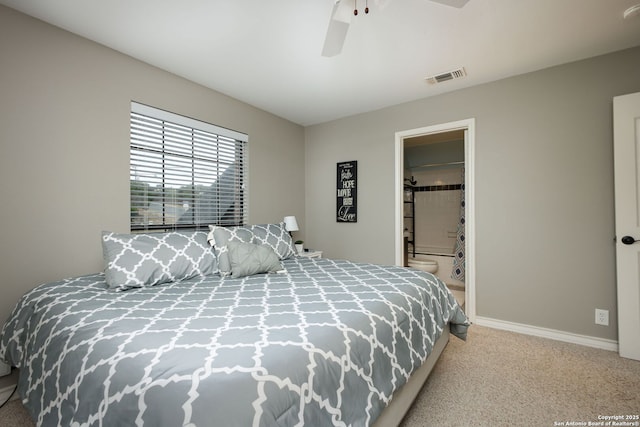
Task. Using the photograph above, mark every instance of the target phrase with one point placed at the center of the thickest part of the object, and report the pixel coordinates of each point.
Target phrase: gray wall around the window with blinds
(64, 138)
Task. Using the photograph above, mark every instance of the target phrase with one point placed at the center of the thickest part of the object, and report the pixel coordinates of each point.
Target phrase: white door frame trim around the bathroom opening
(470, 204)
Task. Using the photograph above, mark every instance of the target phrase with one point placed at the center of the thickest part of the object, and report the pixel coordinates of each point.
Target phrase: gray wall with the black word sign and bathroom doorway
(545, 254)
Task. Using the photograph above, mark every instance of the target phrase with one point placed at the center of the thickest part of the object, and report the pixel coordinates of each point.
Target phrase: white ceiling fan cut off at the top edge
(341, 15)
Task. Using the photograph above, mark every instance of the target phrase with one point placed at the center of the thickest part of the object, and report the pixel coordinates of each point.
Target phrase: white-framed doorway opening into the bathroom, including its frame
(434, 176)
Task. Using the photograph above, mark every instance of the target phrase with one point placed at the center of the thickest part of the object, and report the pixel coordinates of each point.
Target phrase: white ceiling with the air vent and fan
(267, 53)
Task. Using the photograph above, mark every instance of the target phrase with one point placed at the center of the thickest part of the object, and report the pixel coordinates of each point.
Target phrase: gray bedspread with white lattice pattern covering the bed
(325, 344)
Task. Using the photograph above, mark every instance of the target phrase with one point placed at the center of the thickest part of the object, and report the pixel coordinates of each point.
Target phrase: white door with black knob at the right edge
(626, 136)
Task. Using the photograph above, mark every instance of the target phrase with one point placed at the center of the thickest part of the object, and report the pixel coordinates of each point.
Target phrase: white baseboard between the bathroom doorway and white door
(553, 334)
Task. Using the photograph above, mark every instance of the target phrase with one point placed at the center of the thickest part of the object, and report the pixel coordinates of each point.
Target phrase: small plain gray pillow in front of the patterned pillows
(248, 259)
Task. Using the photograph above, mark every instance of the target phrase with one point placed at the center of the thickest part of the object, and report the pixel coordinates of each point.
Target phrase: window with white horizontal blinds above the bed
(184, 173)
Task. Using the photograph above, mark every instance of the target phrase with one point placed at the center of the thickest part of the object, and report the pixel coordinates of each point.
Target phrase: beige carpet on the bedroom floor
(500, 378)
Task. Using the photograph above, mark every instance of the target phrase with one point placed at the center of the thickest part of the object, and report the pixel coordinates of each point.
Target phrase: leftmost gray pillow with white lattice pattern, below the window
(139, 260)
